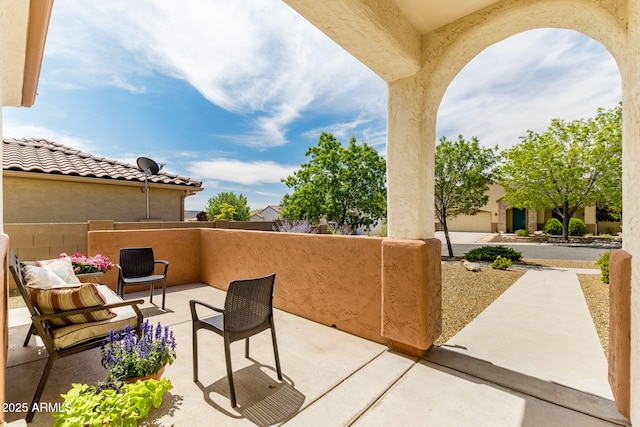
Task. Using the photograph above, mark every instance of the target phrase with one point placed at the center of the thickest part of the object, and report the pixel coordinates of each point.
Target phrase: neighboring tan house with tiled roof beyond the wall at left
(46, 182)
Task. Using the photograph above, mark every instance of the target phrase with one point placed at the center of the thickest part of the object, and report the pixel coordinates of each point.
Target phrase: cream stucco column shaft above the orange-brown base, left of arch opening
(410, 165)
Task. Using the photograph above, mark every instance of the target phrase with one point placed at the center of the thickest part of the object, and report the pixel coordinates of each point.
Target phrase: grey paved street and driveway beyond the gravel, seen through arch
(464, 242)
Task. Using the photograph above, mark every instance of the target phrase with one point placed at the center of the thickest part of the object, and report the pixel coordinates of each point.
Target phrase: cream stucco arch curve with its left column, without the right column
(414, 101)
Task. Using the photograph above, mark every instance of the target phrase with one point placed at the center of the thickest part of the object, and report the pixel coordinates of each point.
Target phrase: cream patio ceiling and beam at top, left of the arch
(385, 35)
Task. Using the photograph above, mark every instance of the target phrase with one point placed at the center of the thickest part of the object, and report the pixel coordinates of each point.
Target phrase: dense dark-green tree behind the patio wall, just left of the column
(345, 185)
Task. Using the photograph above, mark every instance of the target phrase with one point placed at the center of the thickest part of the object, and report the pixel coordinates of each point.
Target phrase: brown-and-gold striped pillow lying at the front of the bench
(69, 298)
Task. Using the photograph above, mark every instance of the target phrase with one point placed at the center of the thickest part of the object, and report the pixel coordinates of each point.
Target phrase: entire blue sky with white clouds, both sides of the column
(232, 93)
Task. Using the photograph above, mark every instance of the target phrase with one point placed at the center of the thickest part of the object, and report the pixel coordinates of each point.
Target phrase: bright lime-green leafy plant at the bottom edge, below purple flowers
(111, 403)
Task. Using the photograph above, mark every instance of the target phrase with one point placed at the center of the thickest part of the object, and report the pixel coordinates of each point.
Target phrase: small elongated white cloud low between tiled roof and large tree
(237, 171)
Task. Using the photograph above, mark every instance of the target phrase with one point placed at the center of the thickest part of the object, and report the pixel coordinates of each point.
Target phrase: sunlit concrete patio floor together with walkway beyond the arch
(332, 378)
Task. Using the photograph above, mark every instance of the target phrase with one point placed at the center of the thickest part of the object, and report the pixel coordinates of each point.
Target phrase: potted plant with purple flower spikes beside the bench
(127, 354)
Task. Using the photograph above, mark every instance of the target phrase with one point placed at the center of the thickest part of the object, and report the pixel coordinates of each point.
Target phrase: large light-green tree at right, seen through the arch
(571, 164)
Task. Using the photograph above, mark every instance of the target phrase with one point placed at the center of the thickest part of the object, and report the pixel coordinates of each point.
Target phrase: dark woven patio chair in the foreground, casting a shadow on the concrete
(248, 310)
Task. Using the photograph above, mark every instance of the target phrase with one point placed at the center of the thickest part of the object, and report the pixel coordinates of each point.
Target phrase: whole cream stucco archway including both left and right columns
(413, 104)
